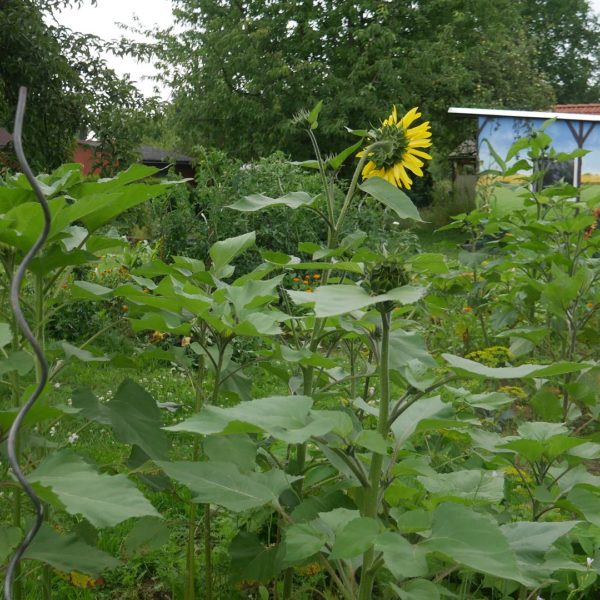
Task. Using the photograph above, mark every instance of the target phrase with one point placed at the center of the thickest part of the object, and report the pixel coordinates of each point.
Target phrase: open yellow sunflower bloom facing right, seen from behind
(400, 151)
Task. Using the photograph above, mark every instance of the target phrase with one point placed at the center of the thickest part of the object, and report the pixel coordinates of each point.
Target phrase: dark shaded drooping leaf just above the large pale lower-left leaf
(133, 415)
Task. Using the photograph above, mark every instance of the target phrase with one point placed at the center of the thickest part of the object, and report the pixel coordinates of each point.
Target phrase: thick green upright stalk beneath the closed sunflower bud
(371, 504)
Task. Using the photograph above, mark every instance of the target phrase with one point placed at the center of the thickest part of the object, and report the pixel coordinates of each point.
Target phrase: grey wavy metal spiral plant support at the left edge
(37, 349)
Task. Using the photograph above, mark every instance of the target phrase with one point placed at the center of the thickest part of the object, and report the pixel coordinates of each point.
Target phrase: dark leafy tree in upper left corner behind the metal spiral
(70, 86)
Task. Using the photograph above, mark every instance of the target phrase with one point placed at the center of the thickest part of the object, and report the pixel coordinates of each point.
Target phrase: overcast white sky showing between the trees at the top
(102, 19)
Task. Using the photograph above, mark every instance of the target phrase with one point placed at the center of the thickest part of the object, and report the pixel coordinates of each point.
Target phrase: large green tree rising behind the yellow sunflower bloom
(240, 69)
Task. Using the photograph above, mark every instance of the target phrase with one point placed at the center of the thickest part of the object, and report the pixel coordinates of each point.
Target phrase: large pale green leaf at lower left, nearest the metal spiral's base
(104, 500)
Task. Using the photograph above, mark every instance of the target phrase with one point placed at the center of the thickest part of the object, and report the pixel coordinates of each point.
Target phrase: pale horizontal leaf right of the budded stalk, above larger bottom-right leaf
(471, 486)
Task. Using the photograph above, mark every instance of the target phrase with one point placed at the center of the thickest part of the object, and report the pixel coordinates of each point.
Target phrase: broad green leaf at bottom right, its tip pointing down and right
(473, 540)
